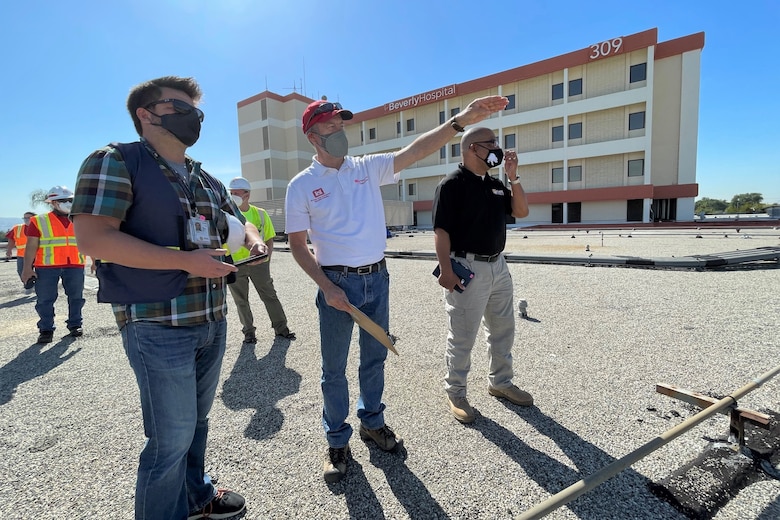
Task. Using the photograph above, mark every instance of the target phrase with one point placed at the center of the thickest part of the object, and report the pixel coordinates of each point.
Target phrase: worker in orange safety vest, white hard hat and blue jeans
(51, 255)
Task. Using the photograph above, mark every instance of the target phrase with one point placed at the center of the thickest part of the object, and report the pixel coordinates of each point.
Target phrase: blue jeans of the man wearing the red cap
(370, 293)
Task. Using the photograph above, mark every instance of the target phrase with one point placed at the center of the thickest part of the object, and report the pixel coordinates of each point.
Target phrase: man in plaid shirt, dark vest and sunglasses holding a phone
(157, 221)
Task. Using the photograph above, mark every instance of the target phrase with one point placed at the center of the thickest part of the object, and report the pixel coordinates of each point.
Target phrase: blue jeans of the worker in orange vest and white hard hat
(46, 290)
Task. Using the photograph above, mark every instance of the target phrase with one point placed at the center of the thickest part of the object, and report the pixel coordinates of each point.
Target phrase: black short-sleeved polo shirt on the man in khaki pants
(473, 211)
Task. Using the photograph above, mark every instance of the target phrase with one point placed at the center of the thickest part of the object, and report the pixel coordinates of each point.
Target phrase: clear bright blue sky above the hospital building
(68, 66)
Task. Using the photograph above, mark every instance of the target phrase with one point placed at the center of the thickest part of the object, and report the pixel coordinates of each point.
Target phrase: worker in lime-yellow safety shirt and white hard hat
(259, 274)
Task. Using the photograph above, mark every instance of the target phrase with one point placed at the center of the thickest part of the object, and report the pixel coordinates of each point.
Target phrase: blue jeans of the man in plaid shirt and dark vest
(177, 370)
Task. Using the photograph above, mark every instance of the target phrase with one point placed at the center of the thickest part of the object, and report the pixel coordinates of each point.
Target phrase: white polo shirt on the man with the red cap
(342, 209)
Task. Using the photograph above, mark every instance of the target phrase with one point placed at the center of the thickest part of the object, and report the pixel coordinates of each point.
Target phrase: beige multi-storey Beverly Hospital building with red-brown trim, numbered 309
(604, 134)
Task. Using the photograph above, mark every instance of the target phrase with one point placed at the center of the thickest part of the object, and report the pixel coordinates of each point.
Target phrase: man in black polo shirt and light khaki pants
(469, 218)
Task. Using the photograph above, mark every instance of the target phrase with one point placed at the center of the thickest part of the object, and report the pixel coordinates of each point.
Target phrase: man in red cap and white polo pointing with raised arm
(338, 202)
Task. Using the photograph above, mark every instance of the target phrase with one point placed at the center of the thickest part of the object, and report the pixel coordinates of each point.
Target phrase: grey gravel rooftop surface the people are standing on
(597, 341)
